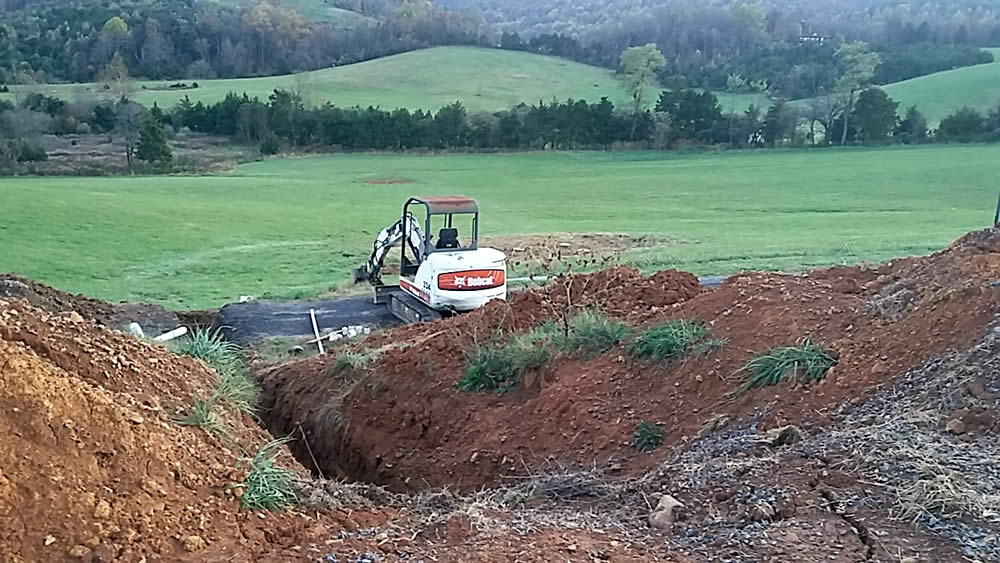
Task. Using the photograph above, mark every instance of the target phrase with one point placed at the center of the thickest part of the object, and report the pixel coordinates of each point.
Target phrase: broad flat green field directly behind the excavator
(297, 226)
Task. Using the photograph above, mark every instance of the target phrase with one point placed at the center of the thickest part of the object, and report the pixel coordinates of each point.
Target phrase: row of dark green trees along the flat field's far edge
(283, 122)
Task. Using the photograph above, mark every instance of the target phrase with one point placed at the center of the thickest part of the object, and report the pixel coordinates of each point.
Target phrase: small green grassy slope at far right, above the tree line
(939, 94)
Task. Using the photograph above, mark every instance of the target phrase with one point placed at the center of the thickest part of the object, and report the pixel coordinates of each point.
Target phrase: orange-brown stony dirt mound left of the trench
(93, 464)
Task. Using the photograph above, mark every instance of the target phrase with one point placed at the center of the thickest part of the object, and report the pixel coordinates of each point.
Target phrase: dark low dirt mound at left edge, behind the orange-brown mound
(152, 318)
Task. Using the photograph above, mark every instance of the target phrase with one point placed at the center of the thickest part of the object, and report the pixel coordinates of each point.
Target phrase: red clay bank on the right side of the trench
(404, 423)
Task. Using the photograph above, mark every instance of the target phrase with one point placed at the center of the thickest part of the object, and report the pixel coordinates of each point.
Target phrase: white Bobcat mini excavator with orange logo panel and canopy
(436, 278)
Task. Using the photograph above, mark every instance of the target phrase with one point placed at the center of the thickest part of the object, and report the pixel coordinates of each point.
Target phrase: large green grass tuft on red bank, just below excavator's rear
(498, 366)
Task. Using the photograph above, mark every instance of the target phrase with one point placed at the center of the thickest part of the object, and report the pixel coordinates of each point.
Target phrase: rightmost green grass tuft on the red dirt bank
(805, 362)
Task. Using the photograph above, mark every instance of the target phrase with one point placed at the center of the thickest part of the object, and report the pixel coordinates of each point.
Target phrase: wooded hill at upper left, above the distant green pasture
(73, 41)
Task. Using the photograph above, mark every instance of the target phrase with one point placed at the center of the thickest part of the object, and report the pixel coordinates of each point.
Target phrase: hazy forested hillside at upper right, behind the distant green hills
(786, 46)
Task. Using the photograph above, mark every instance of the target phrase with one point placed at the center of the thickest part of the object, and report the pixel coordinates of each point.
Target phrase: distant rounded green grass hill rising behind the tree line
(482, 79)
